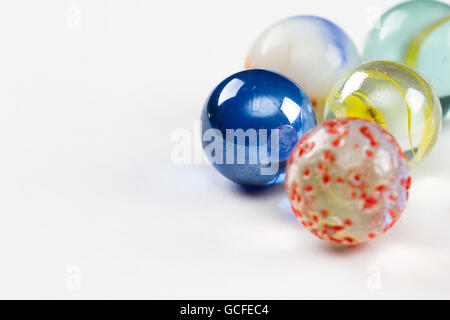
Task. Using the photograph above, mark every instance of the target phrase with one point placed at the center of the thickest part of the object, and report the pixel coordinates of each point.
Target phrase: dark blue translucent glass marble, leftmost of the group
(250, 124)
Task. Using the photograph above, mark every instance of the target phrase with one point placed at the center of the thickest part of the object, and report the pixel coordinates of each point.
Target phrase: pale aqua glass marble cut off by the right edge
(416, 33)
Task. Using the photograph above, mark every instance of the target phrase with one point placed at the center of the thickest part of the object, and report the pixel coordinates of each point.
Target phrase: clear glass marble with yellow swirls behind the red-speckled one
(395, 97)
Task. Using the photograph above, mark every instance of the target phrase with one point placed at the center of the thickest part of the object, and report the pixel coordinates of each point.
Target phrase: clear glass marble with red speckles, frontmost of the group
(347, 181)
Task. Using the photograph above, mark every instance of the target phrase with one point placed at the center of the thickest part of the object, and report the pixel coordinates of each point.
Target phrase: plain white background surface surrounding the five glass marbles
(91, 204)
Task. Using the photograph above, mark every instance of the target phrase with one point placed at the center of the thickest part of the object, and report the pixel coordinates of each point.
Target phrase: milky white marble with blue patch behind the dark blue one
(310, 50)
